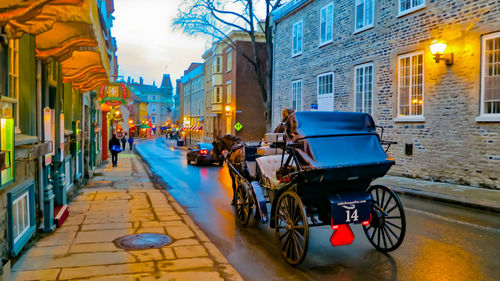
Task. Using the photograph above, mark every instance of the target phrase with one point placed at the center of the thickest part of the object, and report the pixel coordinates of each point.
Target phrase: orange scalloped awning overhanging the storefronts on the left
(67, 30)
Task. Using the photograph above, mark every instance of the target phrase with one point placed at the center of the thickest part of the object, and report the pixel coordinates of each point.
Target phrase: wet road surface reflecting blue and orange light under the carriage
(442, 242)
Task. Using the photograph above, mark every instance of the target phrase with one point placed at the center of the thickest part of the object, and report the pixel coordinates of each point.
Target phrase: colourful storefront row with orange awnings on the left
(51, 120)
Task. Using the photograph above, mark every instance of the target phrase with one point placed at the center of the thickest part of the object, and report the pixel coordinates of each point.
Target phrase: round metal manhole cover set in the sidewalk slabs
(142, 241)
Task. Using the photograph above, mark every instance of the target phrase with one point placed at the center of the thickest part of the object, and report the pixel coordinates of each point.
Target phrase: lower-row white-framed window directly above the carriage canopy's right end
(363, 78)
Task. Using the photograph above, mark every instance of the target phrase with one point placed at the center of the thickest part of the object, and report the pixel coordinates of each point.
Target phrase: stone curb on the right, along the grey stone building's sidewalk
(443, 198)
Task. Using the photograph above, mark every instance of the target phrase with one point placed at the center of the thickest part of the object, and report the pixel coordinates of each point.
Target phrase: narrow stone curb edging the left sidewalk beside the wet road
(227, 270)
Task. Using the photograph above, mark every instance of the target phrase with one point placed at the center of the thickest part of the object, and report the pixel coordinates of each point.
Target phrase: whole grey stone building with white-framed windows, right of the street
(374, 56)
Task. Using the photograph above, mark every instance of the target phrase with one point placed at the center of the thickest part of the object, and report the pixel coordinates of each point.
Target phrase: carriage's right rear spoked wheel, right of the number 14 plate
(387, 228)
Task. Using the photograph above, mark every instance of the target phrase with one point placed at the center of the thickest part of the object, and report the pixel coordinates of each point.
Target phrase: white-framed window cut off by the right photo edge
(490, 75)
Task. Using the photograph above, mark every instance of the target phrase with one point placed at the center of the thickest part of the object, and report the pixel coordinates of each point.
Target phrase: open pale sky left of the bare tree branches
(147, 45)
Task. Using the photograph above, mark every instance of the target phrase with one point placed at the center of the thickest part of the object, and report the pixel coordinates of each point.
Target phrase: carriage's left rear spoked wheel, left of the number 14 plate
(292, 229)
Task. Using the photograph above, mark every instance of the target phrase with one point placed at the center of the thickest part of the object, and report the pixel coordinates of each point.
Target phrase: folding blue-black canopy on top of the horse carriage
(337, 140)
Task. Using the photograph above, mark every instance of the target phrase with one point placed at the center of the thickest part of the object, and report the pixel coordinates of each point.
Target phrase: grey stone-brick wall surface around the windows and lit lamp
(449, 145)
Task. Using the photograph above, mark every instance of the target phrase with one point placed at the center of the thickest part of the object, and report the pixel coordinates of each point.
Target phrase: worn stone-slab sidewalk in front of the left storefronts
(120, 202)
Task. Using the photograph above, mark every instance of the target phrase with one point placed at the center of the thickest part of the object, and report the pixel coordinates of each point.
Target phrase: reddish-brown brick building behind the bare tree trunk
(233, 95)
